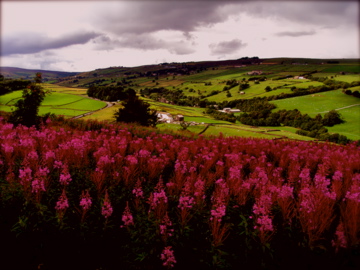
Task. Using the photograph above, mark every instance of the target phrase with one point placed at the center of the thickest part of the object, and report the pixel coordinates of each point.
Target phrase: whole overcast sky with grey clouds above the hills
(86, 35)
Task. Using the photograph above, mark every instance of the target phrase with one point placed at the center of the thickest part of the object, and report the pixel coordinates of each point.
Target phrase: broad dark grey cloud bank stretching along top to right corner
(141, 17)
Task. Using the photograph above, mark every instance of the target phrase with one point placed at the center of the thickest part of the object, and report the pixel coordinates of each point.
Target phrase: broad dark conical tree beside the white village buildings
(136, 111)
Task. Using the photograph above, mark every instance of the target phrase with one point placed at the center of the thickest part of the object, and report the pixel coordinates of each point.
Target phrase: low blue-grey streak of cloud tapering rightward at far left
(29, 43)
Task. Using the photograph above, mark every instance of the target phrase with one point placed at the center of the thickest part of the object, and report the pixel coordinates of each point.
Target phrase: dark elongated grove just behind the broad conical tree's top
(109, 93)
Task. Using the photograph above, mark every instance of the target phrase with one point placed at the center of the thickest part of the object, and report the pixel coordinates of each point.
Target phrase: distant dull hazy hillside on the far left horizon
(17, 73)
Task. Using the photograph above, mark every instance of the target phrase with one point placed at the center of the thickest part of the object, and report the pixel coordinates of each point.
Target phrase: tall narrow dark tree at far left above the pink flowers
(26, 112)
